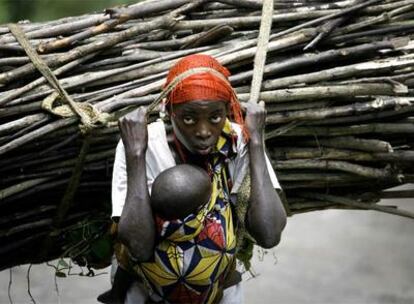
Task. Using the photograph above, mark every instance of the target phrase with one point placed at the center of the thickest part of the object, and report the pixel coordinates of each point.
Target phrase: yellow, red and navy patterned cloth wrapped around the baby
(194, 254)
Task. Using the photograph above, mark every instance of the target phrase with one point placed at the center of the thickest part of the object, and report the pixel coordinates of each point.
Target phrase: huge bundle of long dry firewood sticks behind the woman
(338, 86)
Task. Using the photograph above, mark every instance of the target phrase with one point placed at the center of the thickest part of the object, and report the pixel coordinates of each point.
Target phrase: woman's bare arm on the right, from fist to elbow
(266, 217)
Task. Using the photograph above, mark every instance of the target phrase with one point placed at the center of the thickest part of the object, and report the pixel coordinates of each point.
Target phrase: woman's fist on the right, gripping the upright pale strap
(255, 119)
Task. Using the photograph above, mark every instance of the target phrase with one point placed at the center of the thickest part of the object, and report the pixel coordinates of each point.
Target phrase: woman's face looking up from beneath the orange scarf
(198, 124)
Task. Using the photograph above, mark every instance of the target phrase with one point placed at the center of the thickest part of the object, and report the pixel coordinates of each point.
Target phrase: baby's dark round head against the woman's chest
(179, 191)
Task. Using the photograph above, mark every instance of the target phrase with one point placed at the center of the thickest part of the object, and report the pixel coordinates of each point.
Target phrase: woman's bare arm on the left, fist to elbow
(136, 228)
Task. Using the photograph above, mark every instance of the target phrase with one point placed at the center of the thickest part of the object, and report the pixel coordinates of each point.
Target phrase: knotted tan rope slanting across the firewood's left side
(87, 113)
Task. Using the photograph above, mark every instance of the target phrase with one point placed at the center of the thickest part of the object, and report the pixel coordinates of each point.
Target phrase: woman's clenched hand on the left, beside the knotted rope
(133, 128)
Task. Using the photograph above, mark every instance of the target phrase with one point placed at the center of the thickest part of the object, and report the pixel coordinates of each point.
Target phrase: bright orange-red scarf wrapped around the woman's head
(205, 85)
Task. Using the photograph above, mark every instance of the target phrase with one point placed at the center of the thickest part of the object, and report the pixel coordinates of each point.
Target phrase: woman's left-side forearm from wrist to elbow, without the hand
(136, 227)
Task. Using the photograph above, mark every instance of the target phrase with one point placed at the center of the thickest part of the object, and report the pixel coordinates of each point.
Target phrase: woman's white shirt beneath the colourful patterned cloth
(159, 158)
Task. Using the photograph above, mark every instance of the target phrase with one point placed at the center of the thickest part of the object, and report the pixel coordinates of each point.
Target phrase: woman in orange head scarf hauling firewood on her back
(189, 260)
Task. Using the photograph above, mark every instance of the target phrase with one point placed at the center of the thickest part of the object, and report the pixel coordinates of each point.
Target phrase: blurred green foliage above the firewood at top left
(43, 10)
